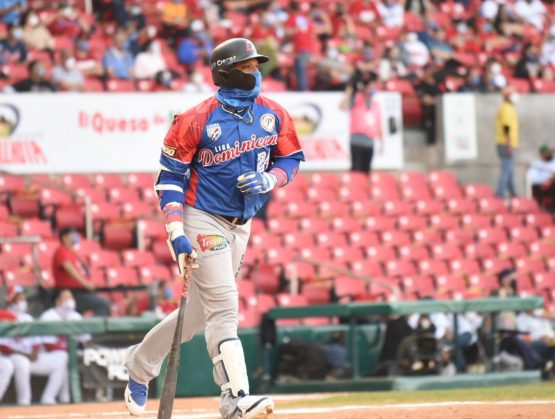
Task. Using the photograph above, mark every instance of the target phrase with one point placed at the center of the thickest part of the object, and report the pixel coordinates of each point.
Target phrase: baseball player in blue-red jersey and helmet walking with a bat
(219, 162)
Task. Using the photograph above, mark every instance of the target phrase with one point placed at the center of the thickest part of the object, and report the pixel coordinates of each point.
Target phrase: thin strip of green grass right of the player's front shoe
(541, 391)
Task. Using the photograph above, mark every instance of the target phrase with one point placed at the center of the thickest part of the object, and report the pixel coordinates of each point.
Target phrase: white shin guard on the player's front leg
(233, 361)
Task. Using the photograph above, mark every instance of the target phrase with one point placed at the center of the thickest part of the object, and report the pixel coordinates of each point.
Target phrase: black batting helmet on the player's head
(228, 53)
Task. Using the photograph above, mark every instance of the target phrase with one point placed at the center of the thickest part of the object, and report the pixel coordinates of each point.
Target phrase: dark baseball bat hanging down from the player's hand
(172, 369)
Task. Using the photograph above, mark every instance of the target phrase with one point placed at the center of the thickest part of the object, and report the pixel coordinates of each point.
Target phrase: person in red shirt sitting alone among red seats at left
(71, 273)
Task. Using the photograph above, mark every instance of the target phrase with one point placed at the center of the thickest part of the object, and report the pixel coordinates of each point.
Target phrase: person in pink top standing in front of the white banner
(365, 120)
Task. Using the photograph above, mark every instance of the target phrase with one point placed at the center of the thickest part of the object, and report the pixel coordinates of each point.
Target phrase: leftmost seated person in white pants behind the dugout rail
(28, 356)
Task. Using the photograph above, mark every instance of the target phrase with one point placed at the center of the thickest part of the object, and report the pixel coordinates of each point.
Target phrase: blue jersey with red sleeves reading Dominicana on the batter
(217, 146)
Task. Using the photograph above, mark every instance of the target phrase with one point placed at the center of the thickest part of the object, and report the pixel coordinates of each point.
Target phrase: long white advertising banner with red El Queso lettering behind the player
(87, 133)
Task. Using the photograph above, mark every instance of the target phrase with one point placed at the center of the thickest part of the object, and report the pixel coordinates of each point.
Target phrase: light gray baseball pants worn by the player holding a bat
(212, 300)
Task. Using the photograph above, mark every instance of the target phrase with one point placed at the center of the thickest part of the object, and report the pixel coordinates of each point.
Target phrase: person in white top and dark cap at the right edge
(541, 176)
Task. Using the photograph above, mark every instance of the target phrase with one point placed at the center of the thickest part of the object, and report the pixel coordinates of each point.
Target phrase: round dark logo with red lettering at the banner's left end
(15, 148)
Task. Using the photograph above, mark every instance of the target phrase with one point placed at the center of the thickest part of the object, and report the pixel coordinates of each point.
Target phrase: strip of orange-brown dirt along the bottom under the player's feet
(206, 408)
